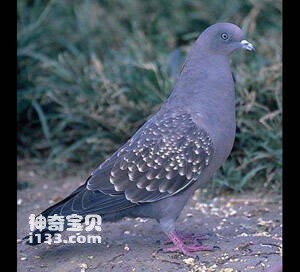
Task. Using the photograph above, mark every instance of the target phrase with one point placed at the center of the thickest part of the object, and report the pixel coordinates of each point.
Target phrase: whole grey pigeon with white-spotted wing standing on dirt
(175, 152)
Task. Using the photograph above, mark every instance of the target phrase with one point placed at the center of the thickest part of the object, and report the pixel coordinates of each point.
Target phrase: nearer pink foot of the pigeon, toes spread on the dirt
(185, 249)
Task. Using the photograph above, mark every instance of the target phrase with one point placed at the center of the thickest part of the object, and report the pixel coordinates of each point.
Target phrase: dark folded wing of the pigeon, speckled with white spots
(164, 157)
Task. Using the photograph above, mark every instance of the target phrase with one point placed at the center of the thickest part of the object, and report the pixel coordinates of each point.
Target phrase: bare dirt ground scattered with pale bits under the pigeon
(247, 228)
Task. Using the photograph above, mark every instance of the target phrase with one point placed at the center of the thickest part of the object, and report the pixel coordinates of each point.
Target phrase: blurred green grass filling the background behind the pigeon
(91, 72)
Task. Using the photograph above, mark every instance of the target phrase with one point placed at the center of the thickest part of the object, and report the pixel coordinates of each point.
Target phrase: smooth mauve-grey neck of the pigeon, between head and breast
(205, 81)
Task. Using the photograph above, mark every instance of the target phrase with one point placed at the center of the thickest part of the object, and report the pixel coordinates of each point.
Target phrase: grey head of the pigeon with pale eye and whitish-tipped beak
(224, 39)
